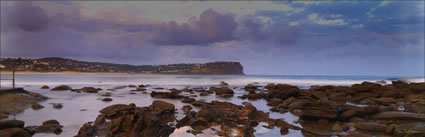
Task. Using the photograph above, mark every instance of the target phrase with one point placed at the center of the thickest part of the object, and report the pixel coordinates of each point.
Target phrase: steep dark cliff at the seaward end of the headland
(230, 68)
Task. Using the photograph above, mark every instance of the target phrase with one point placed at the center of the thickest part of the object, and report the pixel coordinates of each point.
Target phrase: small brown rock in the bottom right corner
(411, 129)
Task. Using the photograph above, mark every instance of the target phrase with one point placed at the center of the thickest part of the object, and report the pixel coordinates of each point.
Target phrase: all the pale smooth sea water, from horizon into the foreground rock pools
(72, 117)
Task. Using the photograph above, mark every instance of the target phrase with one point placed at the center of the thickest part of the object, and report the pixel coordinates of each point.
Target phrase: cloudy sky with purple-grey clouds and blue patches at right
(378, 38)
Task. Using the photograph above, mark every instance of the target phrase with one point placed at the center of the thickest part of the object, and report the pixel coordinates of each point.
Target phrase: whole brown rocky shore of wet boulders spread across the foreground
(360, 110)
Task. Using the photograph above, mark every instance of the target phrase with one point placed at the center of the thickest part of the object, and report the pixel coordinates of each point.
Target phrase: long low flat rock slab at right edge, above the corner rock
(400, 115)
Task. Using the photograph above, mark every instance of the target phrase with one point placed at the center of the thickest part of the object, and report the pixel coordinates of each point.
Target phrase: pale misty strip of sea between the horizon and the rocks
(191, 80)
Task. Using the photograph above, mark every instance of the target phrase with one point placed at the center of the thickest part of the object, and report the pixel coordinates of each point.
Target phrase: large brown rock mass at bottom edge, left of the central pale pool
(131, 121)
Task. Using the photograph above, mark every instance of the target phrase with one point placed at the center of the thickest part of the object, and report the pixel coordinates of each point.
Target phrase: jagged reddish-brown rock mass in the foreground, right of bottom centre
(230, 118)
